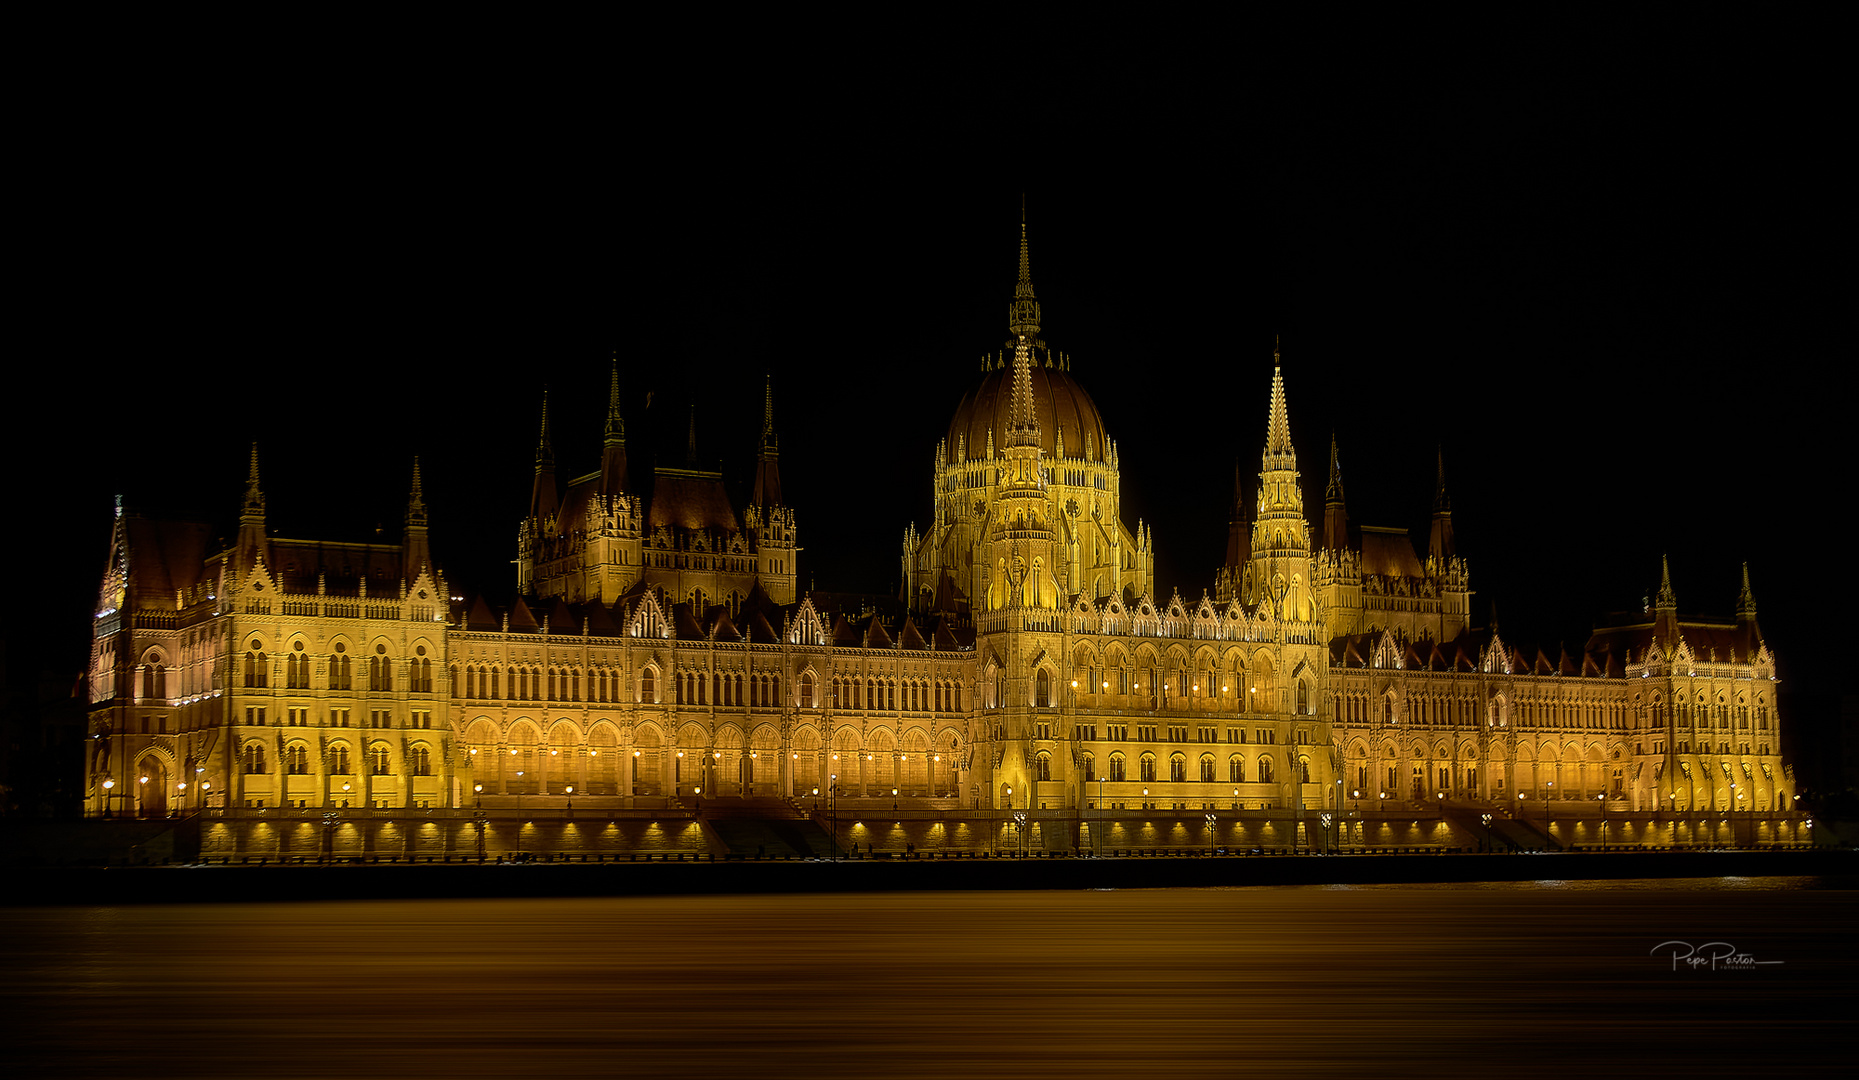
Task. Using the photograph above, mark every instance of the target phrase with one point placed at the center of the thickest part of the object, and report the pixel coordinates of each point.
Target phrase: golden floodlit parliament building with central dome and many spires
(661, 655)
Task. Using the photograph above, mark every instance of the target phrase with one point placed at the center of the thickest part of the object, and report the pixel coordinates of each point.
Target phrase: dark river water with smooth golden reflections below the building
(1497, 981)
